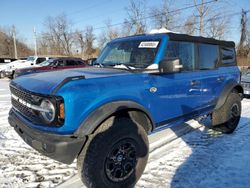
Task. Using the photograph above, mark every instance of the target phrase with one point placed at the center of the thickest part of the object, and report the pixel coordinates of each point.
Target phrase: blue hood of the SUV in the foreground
(48, 82)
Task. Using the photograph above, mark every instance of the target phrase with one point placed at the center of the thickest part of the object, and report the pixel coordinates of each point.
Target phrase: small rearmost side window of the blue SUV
(227, 56)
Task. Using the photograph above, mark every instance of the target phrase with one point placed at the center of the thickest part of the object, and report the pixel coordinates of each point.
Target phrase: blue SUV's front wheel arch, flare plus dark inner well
(119, 108)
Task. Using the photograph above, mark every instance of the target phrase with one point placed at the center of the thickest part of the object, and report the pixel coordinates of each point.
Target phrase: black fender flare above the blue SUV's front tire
(91, 123)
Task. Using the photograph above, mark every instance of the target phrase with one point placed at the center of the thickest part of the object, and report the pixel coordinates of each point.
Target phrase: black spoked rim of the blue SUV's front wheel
(121, 161)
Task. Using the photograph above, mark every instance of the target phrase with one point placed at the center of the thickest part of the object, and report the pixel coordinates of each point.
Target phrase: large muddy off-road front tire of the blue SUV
(93, 163)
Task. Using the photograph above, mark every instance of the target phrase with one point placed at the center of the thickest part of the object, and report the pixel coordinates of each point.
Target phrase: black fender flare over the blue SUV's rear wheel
(229, 87)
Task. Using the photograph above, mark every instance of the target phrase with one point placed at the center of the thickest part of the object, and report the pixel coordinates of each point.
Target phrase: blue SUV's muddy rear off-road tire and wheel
(226, 118)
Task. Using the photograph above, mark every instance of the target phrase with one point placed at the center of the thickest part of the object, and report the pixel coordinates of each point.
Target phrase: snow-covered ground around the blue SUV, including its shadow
(201, 158)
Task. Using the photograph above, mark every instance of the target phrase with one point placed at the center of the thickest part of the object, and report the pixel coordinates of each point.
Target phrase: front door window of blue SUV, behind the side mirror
(185, 51)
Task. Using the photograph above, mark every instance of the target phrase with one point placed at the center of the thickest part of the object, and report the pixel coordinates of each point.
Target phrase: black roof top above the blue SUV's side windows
(199, 39)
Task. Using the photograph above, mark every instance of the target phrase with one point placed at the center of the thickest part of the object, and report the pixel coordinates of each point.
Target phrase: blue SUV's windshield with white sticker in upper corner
(132, 54)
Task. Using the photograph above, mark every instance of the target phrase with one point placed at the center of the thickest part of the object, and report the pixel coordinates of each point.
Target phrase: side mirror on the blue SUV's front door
(170, 65)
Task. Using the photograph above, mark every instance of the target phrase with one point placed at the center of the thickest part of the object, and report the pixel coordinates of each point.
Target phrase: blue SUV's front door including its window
(177, 95)
